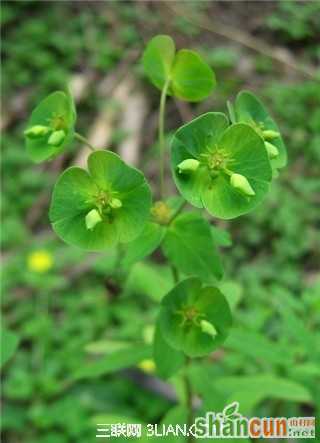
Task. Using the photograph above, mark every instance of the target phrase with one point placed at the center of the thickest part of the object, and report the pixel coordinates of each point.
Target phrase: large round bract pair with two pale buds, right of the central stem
(222, 152)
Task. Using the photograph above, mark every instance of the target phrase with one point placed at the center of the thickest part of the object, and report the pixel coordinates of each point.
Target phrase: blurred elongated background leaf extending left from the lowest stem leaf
(115, 361)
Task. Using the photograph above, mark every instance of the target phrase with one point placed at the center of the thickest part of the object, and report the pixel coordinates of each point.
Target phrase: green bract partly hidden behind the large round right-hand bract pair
(250, 109)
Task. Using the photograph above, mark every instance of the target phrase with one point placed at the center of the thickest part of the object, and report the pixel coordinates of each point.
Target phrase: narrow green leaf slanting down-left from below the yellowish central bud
(144, 245)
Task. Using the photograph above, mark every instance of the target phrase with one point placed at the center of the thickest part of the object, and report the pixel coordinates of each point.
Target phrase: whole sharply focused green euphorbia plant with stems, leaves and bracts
(221, 165)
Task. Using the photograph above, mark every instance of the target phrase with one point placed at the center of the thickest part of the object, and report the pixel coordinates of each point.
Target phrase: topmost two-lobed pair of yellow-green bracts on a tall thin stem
(187, 75)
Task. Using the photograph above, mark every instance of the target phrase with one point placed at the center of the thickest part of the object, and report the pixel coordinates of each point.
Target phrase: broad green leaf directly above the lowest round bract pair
(188, 244)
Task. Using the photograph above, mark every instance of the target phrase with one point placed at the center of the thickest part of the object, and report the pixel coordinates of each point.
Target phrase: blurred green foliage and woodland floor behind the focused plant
(63, 306)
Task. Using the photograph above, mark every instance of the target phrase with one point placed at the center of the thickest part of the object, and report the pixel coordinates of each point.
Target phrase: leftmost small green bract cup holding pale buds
(51, 127)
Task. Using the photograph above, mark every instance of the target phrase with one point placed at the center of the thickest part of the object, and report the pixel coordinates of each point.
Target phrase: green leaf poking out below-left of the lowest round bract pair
(168, 360)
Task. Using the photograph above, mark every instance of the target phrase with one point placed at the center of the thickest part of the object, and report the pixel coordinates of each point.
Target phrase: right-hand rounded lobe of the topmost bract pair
(192, 79)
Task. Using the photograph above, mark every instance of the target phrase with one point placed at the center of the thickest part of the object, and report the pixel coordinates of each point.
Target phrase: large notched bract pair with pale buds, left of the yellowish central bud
(108, 204)
